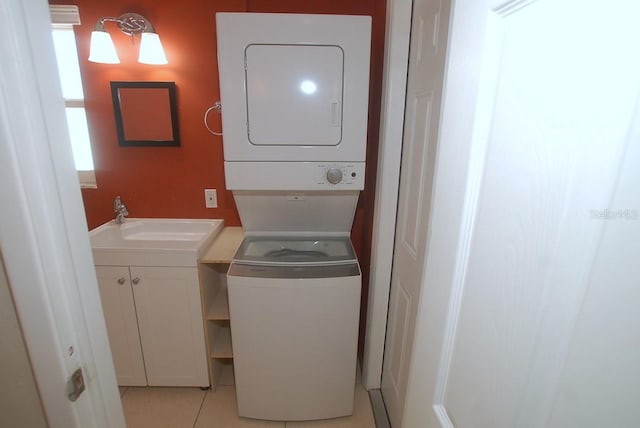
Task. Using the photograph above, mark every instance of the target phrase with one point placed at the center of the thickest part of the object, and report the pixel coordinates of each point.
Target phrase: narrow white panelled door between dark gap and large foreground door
(424, 89)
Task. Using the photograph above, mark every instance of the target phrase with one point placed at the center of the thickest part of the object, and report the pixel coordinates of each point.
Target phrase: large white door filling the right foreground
(528, 314)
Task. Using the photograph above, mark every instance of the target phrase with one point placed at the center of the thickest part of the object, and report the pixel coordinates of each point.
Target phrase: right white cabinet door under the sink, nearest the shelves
(171, 325)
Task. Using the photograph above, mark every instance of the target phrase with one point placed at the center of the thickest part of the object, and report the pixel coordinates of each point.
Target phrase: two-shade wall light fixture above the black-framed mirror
(102, 48)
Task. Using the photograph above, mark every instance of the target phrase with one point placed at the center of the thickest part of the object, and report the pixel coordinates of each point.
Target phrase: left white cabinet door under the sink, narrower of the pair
(122, 325)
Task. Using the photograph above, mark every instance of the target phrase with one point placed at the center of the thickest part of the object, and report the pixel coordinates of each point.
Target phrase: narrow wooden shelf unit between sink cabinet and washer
(212, 268)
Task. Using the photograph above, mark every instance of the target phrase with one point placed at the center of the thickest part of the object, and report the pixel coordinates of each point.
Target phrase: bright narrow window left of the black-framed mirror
(63, 19)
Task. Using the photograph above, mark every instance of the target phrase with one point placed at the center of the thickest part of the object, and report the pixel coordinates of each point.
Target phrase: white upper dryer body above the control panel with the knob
(294, 87)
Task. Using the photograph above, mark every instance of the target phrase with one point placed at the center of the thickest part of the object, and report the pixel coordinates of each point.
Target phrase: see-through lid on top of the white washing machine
(295, 250)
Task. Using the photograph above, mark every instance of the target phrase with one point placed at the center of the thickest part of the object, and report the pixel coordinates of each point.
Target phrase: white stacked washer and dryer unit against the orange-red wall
(294, 91)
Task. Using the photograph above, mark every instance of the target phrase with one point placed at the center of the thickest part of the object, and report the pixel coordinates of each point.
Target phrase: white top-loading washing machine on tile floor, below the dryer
(294, 308)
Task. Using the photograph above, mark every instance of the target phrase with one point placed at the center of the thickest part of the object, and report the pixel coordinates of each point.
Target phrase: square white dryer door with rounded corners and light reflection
(294, 94)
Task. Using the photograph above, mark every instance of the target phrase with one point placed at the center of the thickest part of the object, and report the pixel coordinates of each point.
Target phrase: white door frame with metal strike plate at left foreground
(43, 232)
